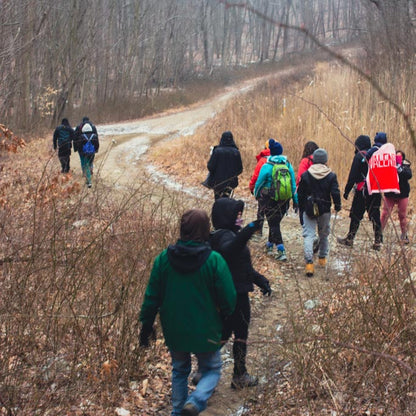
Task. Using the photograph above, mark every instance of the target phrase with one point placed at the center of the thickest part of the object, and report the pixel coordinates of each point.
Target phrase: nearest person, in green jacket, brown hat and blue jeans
(191, 287)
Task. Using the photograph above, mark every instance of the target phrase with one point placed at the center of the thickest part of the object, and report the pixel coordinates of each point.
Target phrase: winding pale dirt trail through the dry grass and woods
(122, 160)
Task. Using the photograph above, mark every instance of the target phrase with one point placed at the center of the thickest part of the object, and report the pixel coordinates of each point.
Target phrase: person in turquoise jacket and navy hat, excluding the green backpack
(275, 210)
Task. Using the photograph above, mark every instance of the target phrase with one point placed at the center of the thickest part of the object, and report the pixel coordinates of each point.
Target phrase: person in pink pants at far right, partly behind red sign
(401, 200)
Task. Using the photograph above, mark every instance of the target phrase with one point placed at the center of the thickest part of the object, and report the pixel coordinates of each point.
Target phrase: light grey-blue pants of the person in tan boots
(309, 234)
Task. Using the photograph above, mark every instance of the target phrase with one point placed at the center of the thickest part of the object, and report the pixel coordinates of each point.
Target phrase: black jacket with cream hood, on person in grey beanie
(323, 186)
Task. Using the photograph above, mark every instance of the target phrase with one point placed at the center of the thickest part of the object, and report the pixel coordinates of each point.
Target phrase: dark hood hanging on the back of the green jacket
(188, 256)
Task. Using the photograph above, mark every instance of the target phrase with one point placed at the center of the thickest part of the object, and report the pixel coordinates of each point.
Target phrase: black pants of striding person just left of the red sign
(361, 203)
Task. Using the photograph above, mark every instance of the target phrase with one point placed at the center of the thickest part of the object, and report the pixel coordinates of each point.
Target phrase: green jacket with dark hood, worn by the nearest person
(191, 287)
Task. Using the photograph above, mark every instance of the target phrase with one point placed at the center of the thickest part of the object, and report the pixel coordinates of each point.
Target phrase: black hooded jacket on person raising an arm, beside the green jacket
(231, 242)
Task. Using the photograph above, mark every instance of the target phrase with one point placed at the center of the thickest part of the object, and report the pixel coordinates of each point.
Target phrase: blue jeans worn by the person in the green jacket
(209, 364)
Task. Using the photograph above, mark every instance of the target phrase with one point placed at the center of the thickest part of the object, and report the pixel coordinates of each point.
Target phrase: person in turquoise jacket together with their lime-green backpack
(276, 206)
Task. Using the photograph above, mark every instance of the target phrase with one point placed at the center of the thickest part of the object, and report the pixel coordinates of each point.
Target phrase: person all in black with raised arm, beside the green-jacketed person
(230, 240)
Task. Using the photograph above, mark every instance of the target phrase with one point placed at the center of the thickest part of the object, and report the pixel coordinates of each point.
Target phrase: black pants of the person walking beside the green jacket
(237, 324)
